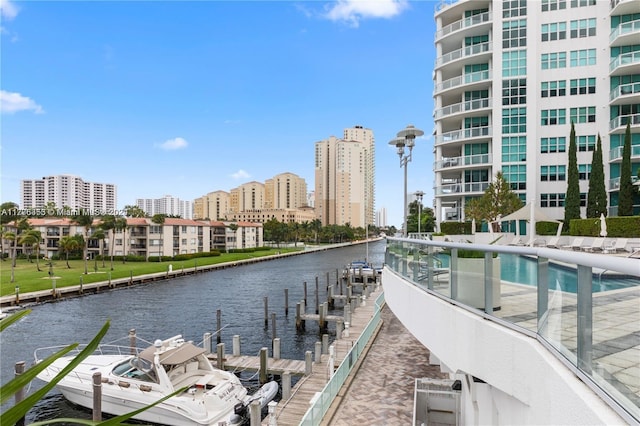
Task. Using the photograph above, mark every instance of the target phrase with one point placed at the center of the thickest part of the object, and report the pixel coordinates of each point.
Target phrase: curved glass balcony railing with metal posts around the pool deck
(583, 307)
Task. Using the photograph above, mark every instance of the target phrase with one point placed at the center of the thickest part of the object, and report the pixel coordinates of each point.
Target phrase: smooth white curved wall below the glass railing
(525, 383)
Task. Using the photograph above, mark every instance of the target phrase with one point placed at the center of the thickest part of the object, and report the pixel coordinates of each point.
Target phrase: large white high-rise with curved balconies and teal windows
(511, 76)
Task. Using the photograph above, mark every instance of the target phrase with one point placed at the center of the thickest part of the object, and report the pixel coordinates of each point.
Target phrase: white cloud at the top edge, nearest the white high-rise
(353, 11)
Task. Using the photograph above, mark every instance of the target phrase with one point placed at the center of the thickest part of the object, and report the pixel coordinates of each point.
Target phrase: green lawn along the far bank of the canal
(28, 278)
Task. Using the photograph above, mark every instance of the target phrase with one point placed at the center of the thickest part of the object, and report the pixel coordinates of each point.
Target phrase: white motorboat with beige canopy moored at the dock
(132, 381)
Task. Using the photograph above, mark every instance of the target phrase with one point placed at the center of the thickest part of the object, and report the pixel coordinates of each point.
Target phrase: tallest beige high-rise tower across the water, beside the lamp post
(344, 178)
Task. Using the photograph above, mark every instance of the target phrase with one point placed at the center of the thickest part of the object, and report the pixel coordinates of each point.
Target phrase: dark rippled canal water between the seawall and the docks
(186, 306)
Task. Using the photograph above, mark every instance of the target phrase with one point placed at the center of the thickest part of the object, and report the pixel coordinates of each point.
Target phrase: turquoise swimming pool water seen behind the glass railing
(524, 270)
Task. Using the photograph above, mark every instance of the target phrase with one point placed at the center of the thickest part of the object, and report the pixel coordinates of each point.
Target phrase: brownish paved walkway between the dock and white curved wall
(380, 391)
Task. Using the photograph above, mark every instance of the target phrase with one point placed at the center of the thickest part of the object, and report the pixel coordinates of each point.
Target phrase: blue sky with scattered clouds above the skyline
(184, 98)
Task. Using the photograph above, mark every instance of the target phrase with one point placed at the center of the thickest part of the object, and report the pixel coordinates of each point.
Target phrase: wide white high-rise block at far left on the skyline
(68, 191)
